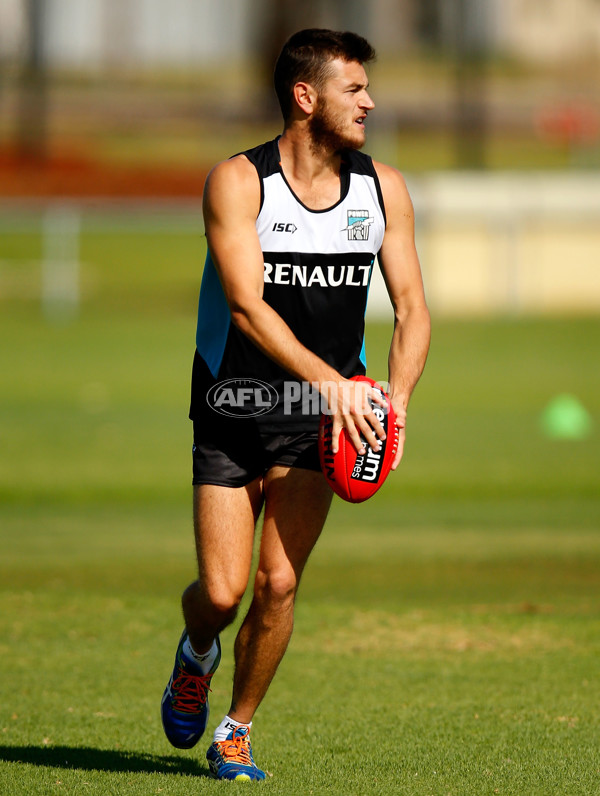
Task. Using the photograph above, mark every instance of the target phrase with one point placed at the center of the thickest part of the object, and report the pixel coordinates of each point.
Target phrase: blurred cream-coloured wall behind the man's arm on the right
(508, 243)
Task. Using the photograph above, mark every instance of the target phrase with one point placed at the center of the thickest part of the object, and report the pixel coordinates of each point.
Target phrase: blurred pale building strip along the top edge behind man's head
(95, 33)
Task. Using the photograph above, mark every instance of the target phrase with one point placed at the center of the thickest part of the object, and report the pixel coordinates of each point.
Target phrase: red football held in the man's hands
(356, 478)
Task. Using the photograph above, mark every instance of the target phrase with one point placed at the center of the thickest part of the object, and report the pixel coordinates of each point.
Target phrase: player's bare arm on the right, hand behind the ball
(402, 273)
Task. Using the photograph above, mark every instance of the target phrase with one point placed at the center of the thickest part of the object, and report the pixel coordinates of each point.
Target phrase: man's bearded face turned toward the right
(342, 106)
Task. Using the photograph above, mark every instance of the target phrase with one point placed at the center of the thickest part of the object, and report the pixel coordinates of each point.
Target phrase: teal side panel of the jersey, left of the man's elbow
(214, 319)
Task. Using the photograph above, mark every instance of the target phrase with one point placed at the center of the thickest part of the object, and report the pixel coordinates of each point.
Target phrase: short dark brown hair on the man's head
(306, 57)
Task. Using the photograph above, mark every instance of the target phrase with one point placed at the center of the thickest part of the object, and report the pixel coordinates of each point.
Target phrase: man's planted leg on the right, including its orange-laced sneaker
(296, 505)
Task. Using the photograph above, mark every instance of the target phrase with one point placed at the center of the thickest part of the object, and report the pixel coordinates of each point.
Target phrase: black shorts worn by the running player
(234, 452)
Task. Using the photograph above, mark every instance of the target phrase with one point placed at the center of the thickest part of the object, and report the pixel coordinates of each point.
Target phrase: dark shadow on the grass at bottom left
(87, 759)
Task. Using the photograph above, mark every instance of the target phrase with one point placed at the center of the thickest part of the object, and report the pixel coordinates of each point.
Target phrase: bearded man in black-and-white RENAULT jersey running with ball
(293, 228)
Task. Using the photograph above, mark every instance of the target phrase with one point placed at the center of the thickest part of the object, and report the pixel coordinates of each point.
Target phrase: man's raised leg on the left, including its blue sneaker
(224, 523)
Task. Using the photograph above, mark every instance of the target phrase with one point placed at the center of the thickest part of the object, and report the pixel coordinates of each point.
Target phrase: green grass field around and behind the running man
(447, 634)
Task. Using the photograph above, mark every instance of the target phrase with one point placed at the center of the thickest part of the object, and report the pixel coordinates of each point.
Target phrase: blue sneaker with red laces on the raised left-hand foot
(184, 706)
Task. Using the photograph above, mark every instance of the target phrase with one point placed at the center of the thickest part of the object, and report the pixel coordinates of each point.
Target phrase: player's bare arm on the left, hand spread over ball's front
(230, 206)
